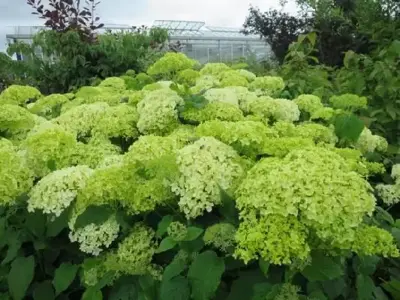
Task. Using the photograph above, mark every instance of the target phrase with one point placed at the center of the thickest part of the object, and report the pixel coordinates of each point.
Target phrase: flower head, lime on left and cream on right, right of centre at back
(275, 109)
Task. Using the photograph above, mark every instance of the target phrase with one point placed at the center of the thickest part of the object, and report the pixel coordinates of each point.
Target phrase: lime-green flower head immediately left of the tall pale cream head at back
(118, 122)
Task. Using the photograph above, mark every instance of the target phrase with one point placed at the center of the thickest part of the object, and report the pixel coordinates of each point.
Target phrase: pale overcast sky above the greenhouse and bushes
(230, 13)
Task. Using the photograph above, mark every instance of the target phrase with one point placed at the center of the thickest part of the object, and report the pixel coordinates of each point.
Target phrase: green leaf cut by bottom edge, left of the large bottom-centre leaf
(175, 289)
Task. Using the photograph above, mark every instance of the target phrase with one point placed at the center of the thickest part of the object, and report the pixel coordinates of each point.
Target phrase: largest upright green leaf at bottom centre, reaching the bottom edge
(205, 275)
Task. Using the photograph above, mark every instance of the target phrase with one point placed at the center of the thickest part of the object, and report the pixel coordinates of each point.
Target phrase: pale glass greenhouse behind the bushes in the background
(196, 39)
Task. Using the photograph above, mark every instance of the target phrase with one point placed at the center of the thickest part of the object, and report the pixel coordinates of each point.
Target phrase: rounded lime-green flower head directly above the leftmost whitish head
(49, 145)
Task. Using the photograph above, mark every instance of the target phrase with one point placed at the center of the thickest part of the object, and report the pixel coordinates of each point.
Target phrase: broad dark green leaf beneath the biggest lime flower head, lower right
(323, 268)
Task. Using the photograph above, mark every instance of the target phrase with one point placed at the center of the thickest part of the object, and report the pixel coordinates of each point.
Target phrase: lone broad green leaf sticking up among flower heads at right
(348, 127)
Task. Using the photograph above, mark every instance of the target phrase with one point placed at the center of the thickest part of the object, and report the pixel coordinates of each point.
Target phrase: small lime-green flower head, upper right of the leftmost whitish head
(92, 153)
